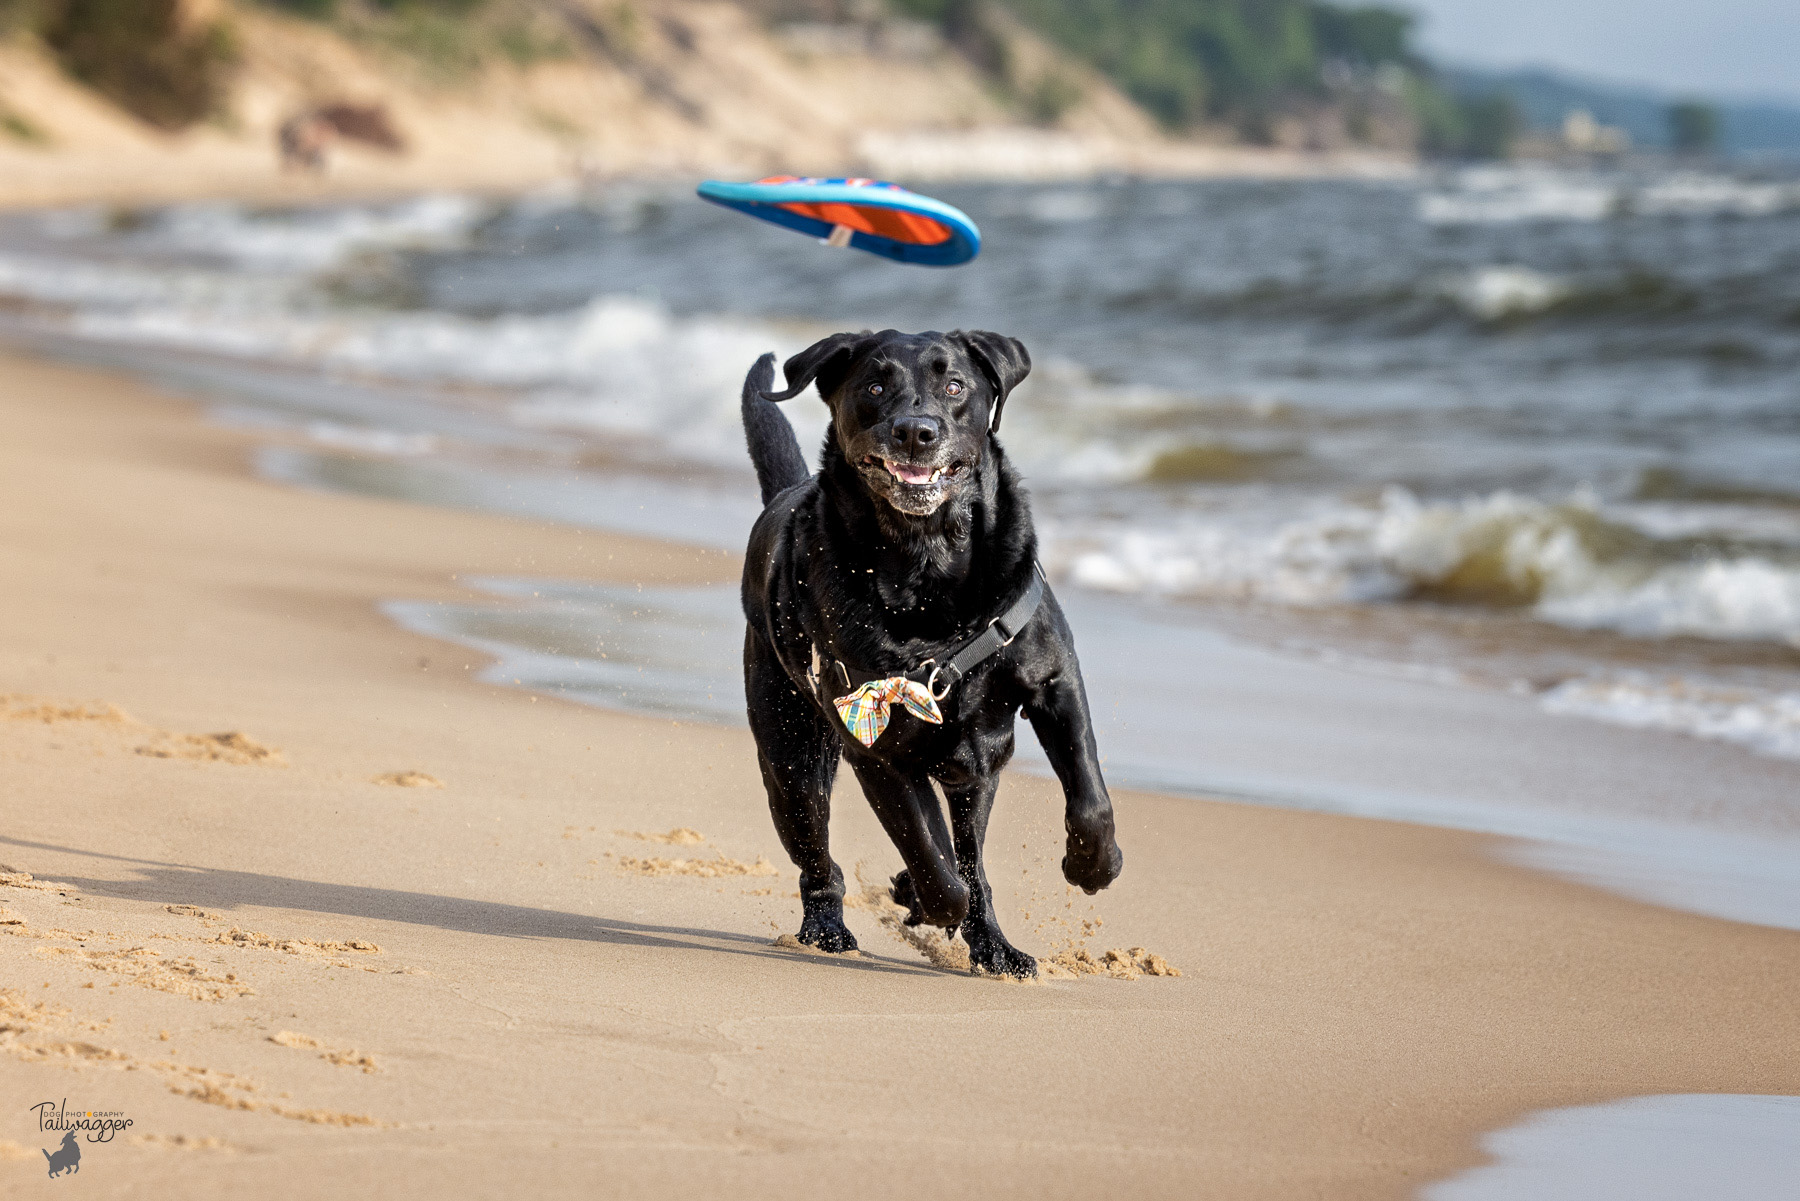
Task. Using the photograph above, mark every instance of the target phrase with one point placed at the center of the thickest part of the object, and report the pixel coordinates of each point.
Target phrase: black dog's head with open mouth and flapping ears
(912, 411)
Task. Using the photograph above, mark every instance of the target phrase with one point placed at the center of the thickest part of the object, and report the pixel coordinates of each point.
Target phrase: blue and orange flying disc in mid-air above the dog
(868, 215)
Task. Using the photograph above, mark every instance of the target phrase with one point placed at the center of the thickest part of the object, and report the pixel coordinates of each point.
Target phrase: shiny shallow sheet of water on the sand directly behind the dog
(1617, 818)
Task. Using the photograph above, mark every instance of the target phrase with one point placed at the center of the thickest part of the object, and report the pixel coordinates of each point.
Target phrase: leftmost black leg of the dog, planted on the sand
(798, 755)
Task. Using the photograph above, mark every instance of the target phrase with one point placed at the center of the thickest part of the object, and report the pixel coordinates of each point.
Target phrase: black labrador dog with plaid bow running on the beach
(899, 619)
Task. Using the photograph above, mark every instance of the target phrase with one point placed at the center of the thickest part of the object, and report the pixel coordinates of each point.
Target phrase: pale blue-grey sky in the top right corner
(1713, 48)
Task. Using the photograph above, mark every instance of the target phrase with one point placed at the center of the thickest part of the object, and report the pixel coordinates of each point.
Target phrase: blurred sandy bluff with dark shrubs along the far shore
(159, 100)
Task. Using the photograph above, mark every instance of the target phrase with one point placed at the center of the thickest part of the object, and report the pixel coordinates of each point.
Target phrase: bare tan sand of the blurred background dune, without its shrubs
(687, 89)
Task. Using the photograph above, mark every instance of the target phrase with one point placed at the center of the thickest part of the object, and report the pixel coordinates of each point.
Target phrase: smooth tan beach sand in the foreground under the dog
(222, 919)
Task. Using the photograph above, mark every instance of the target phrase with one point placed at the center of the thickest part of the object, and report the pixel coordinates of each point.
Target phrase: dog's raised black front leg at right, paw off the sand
(1066, 730)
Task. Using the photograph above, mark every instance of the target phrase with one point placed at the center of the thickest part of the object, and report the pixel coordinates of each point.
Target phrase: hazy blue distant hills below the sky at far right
(1545, 98)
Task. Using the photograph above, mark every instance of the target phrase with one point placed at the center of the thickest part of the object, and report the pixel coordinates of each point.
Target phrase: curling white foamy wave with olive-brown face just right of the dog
(1565, 563)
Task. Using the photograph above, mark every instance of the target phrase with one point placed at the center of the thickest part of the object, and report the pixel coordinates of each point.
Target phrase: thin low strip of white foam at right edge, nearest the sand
(1758, 719)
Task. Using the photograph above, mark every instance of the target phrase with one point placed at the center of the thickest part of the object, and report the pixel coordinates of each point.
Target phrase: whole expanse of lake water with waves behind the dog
(1468, 500)
